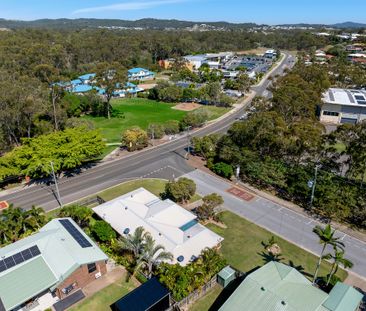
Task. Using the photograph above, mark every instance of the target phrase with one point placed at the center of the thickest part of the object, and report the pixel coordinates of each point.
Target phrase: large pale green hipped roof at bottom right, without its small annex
(278, 287)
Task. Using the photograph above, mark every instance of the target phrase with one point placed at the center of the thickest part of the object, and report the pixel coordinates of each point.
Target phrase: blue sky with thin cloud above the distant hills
(259, 11)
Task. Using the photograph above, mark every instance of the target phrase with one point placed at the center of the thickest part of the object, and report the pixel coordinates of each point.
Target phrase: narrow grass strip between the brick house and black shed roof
(105, 297)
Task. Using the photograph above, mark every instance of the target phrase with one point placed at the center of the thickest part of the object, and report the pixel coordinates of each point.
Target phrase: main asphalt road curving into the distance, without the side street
(162, 161)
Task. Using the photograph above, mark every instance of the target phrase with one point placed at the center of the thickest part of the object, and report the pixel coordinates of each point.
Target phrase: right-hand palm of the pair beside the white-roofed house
(153, 254)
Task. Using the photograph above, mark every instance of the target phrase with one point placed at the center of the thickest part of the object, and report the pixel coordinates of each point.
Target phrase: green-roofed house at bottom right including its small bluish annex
(279, 287)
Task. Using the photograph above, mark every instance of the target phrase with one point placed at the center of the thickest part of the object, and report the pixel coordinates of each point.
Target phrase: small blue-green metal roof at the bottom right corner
(343, 298)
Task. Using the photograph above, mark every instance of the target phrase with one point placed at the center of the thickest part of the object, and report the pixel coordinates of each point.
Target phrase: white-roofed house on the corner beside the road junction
(169, 224)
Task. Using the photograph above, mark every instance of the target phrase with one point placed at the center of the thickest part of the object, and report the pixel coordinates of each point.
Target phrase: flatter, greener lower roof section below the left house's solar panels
(21, 283)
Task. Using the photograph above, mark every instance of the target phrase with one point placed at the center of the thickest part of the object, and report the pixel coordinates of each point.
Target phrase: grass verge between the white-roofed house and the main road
(156, 186)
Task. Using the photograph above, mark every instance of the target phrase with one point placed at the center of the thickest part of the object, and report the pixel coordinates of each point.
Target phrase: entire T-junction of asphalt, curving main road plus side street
(167, 161)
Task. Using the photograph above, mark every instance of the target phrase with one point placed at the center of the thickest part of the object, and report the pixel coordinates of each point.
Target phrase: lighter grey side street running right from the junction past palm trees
(289, 224)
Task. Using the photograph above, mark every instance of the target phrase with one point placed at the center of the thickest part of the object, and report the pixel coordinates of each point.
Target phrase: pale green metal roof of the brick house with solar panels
(60, 253)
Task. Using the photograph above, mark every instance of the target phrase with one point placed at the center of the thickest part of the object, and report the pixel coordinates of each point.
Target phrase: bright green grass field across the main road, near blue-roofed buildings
(135, 112)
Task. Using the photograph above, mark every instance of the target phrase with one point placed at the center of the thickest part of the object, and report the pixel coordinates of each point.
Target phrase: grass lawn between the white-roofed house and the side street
(242, 247)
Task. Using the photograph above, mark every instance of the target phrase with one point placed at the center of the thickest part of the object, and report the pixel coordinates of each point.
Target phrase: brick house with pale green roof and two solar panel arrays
(52, 263)
